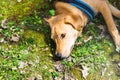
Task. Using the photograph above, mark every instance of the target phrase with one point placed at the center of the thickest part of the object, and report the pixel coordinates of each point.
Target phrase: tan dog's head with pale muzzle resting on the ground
(65, 28)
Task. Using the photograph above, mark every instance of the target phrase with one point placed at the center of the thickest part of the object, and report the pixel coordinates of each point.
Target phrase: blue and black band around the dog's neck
(82, 6)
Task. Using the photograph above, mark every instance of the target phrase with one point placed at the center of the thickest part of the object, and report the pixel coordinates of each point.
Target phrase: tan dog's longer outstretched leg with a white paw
(107, 14)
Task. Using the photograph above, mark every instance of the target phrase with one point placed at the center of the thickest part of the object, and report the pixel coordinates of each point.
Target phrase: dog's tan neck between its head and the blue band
(65, 9)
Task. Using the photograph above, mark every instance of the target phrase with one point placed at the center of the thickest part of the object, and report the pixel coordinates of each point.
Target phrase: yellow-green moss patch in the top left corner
(19, 8)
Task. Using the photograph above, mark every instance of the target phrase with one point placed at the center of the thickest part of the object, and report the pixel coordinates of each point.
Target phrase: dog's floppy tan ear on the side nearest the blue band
(75, 21)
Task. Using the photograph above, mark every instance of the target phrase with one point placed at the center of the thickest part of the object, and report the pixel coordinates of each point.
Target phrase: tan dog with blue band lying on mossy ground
(69, 21)
